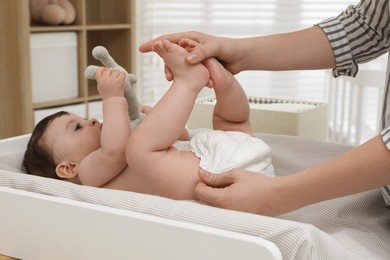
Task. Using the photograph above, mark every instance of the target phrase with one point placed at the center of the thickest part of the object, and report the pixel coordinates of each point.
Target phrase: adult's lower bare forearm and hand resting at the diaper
(363, 168)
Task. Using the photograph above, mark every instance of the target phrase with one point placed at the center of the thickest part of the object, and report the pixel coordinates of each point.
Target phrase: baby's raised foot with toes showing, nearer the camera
(174, 58)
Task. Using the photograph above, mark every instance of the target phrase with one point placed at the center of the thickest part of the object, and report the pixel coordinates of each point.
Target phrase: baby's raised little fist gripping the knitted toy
(110, 82)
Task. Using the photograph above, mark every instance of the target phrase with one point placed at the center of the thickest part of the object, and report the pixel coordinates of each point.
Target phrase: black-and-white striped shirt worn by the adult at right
(360, 34)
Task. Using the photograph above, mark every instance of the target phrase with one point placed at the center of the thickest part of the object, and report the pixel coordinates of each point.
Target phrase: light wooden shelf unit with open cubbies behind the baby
(98, 22)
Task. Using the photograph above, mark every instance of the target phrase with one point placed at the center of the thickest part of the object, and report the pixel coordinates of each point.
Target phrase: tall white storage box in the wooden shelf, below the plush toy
(54, 66)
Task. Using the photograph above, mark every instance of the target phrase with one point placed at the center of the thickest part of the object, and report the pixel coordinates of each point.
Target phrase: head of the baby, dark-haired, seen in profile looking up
(59, 143)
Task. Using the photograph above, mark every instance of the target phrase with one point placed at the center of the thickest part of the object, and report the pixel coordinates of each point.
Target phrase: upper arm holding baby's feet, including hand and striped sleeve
(357, 35)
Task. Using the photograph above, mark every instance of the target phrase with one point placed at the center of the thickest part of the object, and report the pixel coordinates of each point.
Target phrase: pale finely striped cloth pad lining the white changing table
(352, 227)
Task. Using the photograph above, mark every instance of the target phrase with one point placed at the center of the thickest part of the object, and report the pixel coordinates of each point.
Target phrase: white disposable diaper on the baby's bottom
(220, 151)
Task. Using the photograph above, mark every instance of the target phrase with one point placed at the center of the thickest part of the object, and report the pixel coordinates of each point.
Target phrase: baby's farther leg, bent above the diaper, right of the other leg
(232, 109)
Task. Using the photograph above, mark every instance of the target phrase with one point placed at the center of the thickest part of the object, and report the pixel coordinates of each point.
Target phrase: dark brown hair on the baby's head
(37, 160)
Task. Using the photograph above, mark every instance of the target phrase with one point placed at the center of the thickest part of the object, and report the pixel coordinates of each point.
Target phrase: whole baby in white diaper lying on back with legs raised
(111, 155)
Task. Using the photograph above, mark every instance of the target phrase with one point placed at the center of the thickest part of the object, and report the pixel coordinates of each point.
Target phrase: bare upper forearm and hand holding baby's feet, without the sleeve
(305, 49)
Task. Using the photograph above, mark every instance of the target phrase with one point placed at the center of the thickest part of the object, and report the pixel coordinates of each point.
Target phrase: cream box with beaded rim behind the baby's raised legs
(275, 116)
